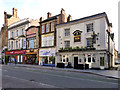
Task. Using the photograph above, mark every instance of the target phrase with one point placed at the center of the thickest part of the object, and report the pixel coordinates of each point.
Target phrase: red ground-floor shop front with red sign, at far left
(15, 56)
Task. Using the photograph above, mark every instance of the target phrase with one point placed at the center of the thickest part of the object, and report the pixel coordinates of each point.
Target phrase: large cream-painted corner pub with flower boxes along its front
(77, 37)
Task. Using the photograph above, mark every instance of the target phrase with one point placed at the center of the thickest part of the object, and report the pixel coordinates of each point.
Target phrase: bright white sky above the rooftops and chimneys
(34, 9)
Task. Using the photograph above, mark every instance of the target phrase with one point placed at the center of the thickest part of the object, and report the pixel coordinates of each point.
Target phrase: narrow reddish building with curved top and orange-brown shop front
(32, 45)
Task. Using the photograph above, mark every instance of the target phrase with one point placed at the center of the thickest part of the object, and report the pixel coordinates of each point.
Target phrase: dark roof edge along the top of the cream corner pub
(88, 17)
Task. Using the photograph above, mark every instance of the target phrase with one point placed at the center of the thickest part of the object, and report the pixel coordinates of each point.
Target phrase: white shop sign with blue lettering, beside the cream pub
(47, 52)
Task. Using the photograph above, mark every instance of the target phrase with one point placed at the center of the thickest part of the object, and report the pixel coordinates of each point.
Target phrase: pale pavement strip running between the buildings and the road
(106, 73)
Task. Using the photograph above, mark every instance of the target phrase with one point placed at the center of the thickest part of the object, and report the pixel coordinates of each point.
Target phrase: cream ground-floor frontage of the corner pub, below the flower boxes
(95, 59)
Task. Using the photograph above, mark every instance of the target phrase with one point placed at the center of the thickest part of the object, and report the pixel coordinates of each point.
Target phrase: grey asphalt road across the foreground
(22, 77)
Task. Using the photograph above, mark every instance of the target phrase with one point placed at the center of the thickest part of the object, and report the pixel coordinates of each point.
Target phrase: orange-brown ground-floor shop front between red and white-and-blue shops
(32, 56)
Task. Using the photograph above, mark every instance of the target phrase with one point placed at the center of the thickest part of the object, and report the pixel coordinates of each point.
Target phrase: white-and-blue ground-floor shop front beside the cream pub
(47, 57)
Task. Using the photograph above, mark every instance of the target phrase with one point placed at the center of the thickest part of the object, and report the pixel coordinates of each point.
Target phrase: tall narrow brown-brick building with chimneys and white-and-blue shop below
(47, 50)
